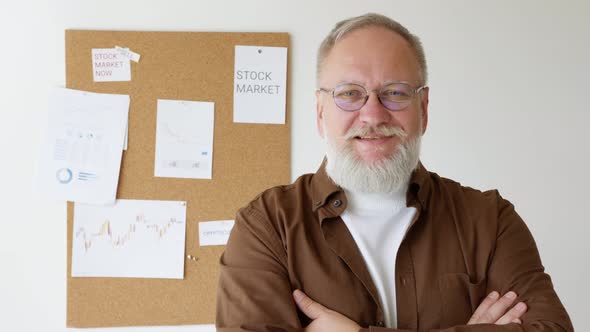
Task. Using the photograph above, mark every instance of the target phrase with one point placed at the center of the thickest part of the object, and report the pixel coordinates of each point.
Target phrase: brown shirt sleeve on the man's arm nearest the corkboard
(254, 292)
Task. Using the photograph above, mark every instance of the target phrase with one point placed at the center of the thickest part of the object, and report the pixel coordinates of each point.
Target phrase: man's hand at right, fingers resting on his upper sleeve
(494, 310)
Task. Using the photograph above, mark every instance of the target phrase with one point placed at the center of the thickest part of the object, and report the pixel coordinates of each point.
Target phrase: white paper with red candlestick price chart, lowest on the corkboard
(131, 239)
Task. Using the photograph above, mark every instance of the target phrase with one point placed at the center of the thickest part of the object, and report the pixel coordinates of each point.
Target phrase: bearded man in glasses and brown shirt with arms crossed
(373, 240)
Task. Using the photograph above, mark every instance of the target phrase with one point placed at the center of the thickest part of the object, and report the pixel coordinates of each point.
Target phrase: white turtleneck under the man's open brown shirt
(378, 223)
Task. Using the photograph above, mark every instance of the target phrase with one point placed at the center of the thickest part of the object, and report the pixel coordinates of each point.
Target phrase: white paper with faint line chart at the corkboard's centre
(184, 139)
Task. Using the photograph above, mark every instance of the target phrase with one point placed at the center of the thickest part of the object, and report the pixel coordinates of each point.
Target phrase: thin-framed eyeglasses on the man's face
(394, 96)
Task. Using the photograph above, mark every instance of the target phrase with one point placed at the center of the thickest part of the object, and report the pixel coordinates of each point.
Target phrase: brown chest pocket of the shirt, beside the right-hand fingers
(460, 298)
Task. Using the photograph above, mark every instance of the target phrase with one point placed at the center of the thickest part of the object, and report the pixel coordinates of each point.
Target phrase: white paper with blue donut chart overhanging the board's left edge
(80, 155)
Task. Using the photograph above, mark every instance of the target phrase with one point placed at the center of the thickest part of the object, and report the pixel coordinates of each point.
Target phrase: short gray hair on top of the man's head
(347, 26)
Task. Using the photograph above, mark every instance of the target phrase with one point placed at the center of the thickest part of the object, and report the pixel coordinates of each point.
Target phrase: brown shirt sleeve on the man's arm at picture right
(516, 265)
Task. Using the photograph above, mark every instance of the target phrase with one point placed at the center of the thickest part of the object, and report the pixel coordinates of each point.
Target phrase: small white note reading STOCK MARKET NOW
(109, 65)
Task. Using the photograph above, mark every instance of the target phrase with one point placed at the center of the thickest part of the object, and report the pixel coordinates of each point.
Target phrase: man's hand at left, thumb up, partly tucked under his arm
(323, 318)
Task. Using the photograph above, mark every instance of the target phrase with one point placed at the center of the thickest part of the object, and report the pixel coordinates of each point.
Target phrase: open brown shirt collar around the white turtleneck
(322, 187)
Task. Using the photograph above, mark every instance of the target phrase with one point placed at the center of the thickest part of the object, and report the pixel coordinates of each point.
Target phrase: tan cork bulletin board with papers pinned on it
(247, 159)
